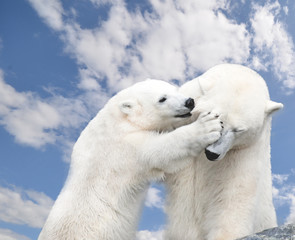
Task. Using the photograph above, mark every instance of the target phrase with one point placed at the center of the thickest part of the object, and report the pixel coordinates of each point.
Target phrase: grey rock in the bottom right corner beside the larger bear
(285, 232)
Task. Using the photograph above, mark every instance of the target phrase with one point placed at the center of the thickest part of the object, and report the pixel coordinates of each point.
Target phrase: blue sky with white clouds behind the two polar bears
(61, 60)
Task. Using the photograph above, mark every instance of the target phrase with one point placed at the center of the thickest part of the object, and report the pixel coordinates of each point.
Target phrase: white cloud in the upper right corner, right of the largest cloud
(272, 43)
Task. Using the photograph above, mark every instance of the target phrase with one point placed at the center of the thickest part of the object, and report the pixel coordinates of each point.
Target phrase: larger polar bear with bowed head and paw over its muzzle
(231, 195)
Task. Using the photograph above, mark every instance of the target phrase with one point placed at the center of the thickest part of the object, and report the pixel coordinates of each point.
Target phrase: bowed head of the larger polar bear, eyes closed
(241, 96)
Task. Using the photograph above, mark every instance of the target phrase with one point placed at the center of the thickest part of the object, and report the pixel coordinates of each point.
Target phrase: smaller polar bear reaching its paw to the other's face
(116, 156)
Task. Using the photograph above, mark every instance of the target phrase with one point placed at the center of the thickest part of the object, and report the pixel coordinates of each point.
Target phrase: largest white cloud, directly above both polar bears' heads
(174, 41)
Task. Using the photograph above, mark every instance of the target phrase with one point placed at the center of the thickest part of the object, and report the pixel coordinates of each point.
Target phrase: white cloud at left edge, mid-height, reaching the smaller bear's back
(35, 122)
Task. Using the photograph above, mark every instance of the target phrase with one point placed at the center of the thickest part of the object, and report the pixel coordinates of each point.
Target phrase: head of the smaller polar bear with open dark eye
(153, 105)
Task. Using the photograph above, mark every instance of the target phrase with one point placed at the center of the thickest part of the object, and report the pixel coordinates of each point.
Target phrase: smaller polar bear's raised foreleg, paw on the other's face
(170, 151)
